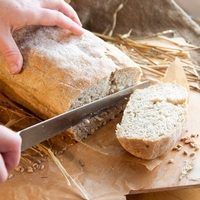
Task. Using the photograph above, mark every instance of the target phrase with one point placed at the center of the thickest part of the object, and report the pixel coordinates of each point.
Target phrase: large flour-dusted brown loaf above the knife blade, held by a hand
(62, 71)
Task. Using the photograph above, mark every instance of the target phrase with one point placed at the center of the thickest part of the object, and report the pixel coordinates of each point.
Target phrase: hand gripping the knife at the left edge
(10, 151)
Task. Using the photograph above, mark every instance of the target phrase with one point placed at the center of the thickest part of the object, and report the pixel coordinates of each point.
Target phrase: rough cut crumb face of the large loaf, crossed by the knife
(119, 80)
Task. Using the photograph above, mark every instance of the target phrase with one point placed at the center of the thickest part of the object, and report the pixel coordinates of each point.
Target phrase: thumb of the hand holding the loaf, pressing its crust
(10, 52)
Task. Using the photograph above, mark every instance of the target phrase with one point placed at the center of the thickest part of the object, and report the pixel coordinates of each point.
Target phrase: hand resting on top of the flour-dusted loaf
(15, 14)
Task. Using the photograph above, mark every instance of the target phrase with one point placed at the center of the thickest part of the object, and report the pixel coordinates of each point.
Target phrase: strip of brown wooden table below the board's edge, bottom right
(185, 194)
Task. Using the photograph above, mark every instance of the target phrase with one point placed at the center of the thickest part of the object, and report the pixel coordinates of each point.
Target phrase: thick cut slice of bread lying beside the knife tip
(153, 120)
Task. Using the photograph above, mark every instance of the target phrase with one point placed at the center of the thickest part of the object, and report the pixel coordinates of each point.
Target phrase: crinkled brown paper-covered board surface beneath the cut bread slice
(109, 175)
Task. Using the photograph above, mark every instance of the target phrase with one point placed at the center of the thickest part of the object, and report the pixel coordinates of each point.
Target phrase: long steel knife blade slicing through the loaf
(44, 130)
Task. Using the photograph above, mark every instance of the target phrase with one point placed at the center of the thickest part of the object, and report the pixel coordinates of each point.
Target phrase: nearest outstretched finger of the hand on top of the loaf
(55, 18)
